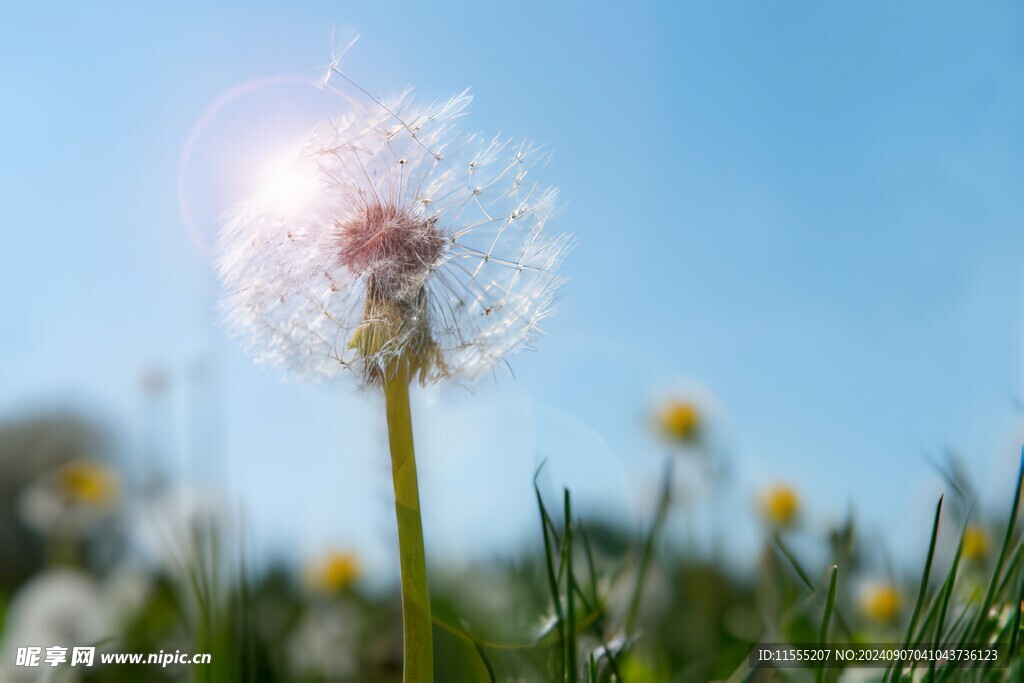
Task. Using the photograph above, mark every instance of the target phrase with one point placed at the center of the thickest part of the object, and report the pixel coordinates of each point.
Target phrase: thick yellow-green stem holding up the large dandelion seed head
(418, 647)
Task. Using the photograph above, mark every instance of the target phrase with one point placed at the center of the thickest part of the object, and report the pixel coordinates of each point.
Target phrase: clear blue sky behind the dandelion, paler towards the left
(809, 214)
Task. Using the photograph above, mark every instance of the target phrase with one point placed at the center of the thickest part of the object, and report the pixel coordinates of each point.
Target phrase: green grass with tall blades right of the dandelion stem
(586, 641)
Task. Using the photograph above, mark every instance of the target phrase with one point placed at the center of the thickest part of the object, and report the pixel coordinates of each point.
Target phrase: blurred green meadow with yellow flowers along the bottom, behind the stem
(586, 603)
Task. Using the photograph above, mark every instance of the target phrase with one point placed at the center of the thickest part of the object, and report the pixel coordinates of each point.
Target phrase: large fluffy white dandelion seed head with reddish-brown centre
(417, 242)
